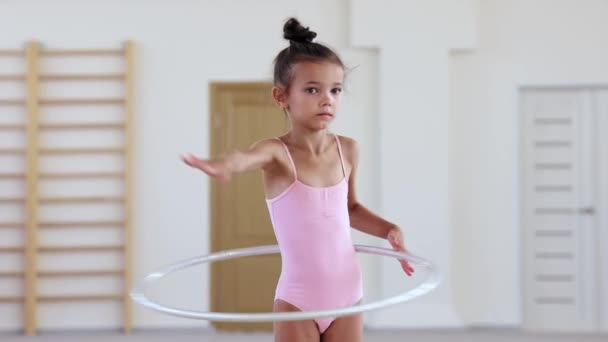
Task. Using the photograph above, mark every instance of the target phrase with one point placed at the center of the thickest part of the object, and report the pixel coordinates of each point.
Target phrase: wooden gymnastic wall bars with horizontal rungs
(32, 200)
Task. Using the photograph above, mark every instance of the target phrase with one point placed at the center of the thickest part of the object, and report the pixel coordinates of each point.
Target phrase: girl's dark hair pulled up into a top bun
(301, 49)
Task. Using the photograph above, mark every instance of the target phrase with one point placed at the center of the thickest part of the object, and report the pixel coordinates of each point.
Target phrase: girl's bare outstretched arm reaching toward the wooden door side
(259, 156)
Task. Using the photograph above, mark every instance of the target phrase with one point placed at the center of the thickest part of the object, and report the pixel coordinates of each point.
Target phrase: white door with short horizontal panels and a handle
(561, 197)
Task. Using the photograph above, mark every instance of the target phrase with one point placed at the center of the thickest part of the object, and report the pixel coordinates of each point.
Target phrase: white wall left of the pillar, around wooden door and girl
(180, 48)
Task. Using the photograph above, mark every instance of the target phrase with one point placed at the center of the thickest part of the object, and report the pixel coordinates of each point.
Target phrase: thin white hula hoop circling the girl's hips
(138, 292)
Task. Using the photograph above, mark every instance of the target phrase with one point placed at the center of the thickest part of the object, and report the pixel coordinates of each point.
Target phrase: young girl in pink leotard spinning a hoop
(309, 182)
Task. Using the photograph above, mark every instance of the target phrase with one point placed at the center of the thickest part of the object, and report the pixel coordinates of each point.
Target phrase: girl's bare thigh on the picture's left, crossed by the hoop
(293, 331)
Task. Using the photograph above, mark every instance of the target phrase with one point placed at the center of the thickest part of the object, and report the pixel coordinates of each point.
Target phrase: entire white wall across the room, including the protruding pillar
(439, 132)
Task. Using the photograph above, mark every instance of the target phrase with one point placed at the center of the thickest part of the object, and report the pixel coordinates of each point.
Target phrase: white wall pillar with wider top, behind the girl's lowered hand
(414, 38)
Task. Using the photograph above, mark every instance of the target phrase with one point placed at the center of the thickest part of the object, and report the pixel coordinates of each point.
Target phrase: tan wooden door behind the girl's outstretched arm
(242, 113)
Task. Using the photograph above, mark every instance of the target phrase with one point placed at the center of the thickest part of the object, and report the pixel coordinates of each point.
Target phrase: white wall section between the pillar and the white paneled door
(521, 43)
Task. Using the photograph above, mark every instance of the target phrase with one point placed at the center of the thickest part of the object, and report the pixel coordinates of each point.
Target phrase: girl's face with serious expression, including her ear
(313, 98)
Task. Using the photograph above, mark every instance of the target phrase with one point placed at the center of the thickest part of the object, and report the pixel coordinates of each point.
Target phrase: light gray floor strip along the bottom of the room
(486, 335)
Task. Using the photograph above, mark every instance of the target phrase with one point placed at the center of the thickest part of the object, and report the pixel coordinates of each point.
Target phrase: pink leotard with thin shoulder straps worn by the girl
(319, 269)
